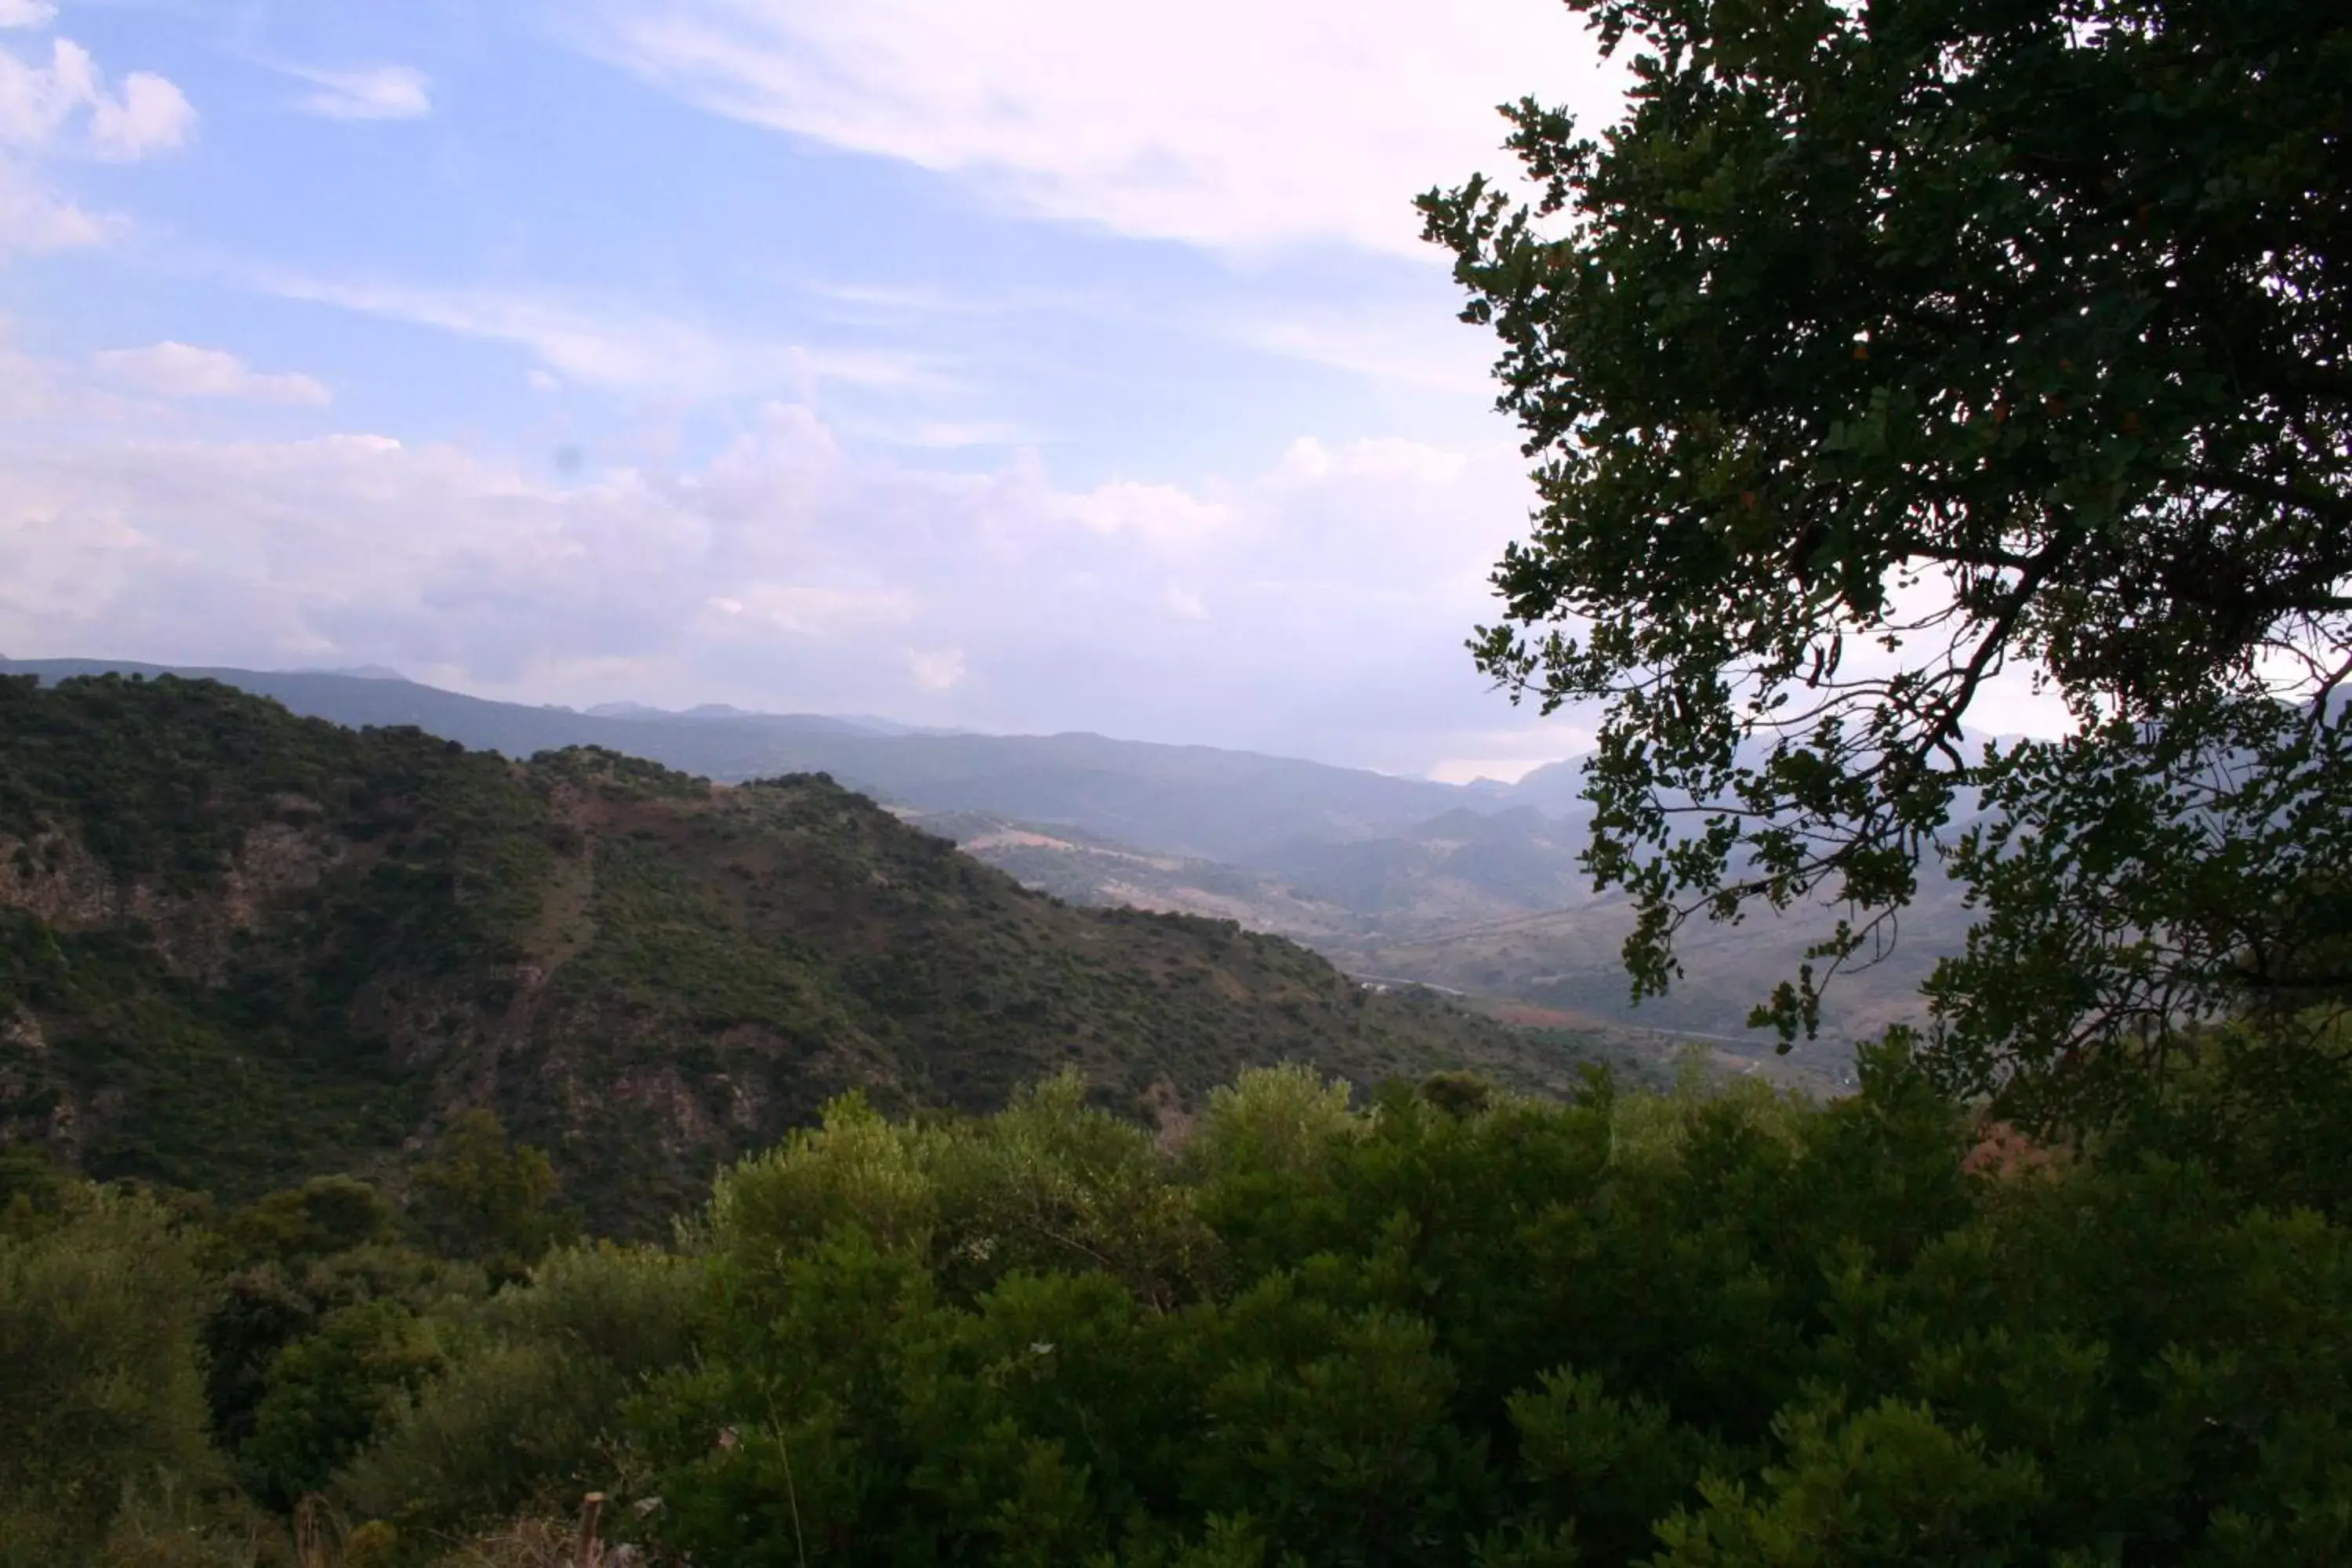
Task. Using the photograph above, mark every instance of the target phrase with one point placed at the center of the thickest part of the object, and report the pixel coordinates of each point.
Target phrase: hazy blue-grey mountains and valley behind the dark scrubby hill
(1469, 887)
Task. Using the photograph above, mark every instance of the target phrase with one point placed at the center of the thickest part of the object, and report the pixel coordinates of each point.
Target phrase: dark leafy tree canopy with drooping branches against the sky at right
(1890, 349)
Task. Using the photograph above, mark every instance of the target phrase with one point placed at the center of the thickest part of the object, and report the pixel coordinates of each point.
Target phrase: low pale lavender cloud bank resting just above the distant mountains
(1311, 608)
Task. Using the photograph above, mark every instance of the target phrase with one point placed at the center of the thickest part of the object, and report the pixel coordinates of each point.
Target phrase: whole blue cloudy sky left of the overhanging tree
(1022, 366)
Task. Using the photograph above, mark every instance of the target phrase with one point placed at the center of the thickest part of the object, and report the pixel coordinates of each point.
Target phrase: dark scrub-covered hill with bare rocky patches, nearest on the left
(239, 946)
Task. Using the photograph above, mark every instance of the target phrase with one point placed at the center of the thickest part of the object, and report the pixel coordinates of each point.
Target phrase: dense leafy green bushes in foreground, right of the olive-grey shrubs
(1624, 1332)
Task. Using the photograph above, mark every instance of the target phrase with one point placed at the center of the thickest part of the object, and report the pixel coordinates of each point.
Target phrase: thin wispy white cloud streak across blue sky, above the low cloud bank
(613, 344)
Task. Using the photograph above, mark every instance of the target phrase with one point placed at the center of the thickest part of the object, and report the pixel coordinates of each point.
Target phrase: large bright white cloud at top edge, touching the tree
(1227, 123)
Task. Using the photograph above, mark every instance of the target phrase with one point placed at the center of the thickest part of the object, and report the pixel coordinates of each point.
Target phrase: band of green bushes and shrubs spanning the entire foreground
(1711, 1327)
